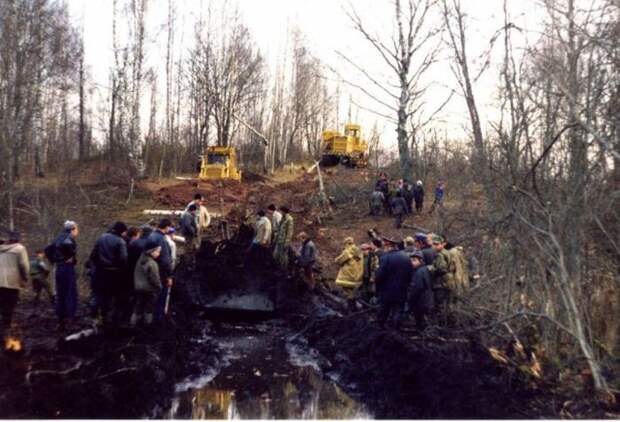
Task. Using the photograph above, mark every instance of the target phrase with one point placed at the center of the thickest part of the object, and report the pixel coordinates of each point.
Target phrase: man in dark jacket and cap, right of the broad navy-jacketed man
(420, 291)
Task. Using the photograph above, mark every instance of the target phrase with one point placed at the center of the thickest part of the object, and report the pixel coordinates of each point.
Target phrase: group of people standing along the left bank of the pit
(130, 270)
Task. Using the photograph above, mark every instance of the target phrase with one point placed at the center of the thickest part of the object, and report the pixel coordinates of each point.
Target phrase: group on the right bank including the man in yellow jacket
(422, 275)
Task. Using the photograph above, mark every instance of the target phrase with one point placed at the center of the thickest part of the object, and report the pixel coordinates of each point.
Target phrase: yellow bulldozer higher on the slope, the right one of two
(348, 149)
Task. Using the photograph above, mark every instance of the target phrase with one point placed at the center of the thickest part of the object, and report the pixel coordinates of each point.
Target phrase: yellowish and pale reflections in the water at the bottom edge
(302, 394)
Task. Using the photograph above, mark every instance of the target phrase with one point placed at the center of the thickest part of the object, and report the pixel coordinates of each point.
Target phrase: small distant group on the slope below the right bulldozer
(398, 197)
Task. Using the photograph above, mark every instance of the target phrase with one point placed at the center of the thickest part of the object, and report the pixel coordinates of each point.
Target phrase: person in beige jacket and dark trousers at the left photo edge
(14, 269)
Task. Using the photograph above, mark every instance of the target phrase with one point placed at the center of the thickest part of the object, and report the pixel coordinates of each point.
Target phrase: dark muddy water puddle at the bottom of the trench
(263, 378)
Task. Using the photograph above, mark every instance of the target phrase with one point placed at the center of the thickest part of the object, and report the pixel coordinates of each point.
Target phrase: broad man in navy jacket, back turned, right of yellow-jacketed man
(391, 281)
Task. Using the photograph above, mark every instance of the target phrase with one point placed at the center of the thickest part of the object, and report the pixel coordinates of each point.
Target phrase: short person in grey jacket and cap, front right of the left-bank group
(147, 284)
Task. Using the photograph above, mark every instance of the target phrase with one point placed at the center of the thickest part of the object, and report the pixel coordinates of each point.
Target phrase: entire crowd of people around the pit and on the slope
(131, 268)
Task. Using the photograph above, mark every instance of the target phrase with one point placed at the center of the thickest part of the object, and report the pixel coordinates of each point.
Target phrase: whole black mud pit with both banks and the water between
(311, 358)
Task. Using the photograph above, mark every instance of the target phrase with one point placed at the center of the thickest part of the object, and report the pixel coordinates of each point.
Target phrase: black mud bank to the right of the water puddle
(431, 377)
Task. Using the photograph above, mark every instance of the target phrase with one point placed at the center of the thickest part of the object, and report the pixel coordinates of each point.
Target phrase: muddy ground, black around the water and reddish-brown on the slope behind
(133, 374)
